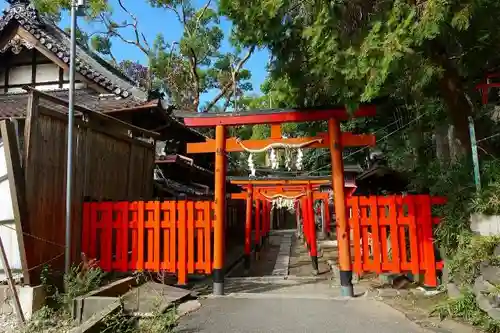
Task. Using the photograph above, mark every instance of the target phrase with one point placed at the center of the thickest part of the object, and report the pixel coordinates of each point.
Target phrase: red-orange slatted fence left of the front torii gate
(170, 236)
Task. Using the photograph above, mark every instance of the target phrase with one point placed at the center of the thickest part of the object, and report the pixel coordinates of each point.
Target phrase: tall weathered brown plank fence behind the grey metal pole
(109, 162)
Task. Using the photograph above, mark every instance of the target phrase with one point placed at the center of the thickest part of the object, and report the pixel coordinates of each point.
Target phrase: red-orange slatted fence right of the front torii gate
(394, 234)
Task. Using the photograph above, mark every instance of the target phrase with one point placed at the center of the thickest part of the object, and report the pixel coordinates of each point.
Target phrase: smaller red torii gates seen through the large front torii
(298, 196)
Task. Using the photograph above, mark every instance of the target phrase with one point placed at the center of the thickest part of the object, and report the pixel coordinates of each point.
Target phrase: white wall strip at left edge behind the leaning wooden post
(7, 226)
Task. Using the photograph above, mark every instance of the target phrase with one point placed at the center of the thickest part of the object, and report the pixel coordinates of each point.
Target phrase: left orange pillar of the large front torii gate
(220, 210)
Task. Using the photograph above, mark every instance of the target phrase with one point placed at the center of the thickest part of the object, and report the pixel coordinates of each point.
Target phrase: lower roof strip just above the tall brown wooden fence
(14, 105)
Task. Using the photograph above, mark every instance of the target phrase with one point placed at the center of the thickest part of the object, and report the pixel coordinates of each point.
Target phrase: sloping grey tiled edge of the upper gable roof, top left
(57, 41)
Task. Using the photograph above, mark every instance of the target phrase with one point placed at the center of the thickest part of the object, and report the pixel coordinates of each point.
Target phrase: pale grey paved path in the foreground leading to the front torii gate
(294, 307)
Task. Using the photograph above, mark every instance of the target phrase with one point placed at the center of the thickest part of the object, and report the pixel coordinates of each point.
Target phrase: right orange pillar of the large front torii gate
(343, 234)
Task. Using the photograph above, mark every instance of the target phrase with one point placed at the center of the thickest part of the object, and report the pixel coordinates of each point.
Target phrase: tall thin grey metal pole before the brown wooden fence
(71, 115)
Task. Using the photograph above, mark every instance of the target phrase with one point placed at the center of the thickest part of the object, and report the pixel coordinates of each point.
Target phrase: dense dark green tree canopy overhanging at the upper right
(356, 51)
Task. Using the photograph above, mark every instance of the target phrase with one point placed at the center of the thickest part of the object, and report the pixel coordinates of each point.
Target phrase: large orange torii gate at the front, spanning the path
(335, 140)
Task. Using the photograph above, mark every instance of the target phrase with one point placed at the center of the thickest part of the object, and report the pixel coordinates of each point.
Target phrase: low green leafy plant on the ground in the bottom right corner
(466, 308)
